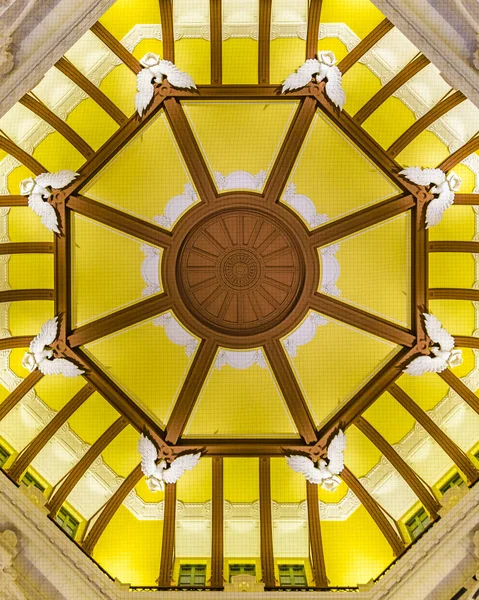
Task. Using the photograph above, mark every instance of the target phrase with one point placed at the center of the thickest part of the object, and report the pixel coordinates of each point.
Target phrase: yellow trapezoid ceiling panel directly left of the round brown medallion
(116, 277)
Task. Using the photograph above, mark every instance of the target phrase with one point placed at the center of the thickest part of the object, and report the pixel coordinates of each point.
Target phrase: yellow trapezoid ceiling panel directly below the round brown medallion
(244, 402)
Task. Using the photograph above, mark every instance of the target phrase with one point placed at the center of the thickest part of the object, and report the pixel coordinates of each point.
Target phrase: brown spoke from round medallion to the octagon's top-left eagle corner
(190, 150)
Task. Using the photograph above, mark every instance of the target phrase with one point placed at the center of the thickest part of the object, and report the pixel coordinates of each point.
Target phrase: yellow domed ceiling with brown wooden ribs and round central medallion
(242, 272)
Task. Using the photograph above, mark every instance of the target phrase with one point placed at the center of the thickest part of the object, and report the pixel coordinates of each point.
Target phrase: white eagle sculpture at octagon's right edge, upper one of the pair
(444, 188)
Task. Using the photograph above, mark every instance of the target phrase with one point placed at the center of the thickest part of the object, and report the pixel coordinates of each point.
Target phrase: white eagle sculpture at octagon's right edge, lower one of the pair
(445, 355)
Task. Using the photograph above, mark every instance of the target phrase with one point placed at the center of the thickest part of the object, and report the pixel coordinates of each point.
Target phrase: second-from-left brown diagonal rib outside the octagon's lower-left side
(27, 456)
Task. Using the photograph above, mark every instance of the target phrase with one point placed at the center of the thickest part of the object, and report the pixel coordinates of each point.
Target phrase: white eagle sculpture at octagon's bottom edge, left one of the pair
(157, 474)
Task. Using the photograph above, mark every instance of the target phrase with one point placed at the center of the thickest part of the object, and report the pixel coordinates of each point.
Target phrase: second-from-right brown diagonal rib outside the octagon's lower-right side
(460, 458)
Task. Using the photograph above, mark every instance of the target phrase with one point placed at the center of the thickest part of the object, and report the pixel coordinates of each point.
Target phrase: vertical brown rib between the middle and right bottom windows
(266, 522)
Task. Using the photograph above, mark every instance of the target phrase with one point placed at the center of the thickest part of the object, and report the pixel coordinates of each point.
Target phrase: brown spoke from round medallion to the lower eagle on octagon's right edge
(332, 307)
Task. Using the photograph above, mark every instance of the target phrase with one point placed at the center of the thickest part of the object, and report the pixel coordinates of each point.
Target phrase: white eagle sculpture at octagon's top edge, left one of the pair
(155, 70)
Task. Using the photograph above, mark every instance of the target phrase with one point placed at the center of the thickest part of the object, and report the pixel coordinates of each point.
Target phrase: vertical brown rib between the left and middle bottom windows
(217, 523)
